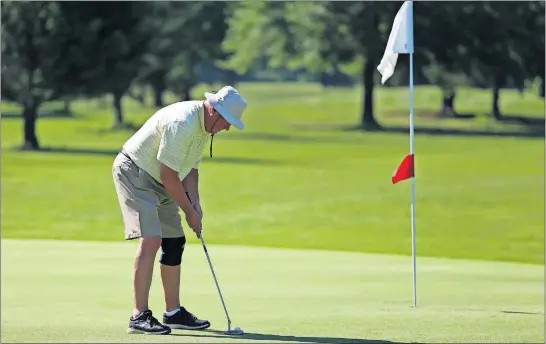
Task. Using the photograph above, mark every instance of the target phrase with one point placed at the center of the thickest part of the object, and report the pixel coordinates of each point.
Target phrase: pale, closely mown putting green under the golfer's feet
(63, 291)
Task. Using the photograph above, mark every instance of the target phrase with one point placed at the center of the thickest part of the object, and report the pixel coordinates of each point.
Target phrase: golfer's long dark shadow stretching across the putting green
(267, 338)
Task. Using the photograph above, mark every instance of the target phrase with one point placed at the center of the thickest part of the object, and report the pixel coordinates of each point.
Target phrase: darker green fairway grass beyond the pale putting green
(296, 179)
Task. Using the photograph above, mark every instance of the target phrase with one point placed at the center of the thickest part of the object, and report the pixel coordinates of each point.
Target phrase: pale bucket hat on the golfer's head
(229, 103)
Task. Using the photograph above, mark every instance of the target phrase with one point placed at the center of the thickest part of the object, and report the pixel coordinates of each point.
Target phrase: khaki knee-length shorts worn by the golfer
(146, 208)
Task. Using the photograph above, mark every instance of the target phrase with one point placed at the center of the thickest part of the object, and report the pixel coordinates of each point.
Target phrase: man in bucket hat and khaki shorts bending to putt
(155, 169)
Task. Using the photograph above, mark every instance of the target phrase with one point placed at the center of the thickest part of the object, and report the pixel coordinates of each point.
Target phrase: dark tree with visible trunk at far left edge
(33, 71)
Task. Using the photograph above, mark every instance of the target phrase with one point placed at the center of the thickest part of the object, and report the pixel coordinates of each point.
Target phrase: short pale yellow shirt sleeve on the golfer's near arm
(174, 144)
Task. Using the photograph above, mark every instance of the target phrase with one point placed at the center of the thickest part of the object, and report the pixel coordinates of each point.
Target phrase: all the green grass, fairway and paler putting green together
(294, 181)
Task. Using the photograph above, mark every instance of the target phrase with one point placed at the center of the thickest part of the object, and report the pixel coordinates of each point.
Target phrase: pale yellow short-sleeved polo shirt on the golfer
(175, 136)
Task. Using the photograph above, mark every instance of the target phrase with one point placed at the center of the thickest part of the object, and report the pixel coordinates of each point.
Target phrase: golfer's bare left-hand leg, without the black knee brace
(143, 272)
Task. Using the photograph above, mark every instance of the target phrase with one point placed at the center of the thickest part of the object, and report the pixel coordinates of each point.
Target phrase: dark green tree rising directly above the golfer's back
(186, 32)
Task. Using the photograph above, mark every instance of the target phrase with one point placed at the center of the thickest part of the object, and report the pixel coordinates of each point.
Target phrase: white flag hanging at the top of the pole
(400, 41)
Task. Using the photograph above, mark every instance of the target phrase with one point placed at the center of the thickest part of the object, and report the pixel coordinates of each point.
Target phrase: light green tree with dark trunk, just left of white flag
(317, 36)
